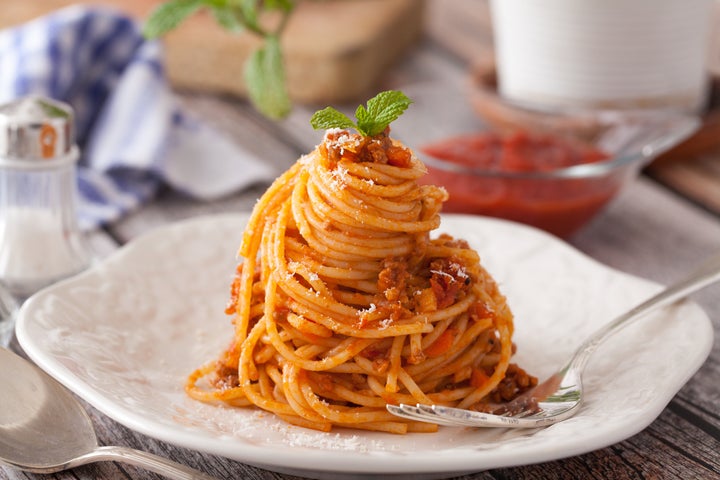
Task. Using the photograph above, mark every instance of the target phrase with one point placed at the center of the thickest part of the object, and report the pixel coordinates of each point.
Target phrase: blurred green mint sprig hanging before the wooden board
(264, 74)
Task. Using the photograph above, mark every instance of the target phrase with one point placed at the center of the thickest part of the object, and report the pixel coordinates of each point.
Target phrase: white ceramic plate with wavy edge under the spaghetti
(125, 334)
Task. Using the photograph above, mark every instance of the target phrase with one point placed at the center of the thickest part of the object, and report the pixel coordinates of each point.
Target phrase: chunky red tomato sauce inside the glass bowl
(547, 181)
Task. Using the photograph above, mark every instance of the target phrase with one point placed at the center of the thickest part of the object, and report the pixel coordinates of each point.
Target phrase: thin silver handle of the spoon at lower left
(149, 461)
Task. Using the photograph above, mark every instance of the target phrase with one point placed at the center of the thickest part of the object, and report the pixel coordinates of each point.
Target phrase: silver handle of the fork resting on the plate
(707, 274)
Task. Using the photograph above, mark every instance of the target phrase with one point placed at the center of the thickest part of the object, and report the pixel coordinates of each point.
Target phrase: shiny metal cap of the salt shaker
(35, 130)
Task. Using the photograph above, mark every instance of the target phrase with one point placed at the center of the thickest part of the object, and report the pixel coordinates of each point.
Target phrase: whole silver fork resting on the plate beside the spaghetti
(560, 396)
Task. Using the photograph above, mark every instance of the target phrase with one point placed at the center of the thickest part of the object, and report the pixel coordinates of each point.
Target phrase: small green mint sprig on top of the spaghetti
(371, 120)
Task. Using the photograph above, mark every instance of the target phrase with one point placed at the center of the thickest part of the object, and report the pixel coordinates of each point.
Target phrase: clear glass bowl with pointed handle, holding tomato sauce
(564, 199)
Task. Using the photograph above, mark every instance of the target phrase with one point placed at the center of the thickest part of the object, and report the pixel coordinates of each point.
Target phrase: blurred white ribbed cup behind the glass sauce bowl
(608, 54)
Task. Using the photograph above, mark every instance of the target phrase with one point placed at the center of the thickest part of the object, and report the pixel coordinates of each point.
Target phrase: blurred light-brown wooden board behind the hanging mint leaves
(336, 50)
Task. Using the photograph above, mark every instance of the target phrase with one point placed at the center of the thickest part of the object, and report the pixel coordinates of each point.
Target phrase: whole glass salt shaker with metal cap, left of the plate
(40, 242)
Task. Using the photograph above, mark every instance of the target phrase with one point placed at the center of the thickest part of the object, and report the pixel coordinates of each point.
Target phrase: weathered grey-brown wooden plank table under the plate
(651, 231)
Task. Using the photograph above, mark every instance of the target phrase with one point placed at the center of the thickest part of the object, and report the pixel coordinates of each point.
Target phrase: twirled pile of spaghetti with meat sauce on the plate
(343, 302)
